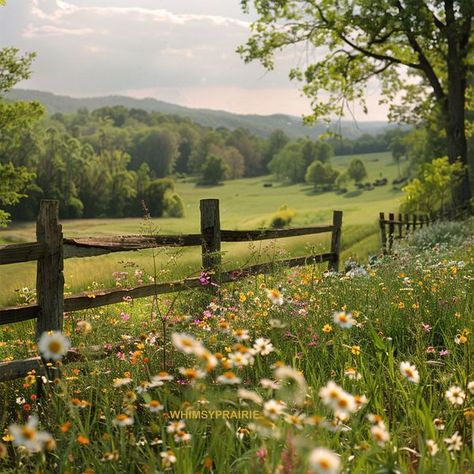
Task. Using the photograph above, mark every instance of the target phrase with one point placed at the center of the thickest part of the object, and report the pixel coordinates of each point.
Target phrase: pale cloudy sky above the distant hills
(179, 51)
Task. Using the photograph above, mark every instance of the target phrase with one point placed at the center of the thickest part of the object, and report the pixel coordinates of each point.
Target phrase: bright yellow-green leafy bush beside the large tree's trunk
(431, 191)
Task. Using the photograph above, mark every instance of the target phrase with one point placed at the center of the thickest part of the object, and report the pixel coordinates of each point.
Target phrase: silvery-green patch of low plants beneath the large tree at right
(446, 234)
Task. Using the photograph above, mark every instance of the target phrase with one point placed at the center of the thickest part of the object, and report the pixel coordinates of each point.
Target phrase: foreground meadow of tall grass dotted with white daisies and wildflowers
(353, 331)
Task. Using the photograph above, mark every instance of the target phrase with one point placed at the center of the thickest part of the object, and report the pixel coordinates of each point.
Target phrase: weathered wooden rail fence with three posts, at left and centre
(51, 249)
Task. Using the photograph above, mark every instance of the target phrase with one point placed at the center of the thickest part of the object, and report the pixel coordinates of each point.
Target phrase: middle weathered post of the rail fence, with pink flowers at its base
(211, 235)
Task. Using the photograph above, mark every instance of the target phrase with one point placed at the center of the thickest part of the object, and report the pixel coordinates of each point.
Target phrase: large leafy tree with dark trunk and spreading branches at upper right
(418, 49)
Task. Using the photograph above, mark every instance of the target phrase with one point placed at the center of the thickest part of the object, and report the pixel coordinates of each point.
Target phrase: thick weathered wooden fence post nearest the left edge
(49, 277)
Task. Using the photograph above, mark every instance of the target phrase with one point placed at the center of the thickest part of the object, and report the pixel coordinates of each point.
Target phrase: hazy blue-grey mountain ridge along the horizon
(261, 125)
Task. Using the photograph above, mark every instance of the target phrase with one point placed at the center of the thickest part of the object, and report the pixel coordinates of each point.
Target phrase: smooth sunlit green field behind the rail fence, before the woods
(244, 204)
